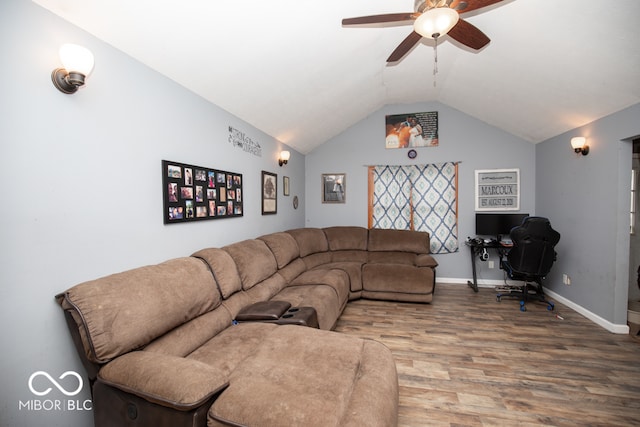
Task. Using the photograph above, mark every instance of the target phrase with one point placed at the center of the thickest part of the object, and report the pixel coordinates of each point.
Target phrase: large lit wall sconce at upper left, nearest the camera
(78, 64)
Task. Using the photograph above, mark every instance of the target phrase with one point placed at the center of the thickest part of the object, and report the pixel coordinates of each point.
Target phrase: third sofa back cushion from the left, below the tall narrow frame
(254, 261)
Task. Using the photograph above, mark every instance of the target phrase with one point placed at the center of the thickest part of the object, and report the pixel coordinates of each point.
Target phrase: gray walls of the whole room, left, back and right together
(82, 192)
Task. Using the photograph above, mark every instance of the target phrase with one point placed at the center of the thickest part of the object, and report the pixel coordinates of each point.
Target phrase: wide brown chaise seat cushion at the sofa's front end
(288, 381)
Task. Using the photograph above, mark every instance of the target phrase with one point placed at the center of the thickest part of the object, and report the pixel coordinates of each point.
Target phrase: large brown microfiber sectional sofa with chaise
(162, 346)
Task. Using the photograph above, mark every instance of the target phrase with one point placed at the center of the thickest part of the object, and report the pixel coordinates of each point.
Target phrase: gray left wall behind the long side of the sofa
(81, 181)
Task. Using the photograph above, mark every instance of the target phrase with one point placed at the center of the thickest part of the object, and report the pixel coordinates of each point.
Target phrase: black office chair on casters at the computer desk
(530, 259)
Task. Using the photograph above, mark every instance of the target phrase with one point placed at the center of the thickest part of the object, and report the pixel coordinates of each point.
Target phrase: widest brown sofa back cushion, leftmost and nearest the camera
(124, 311)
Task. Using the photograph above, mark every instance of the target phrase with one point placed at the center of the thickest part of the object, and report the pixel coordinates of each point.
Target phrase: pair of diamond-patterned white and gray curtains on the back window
(418, 197)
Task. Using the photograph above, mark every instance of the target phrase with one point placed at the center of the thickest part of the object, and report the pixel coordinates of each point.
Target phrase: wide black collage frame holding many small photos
(192, 193)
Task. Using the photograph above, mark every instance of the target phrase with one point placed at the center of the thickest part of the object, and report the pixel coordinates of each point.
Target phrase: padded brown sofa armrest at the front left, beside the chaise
(170, 381)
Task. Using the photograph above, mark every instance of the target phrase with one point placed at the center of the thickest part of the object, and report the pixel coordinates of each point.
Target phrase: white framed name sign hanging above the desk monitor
(498, 190)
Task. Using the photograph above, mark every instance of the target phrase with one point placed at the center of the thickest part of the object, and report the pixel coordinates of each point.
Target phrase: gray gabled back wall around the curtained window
(462, 138)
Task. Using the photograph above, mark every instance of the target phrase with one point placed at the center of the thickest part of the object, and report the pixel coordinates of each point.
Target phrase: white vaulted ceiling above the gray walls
(292, 70)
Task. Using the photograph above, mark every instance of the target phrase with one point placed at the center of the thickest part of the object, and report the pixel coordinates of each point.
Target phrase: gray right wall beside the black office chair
(588, 199)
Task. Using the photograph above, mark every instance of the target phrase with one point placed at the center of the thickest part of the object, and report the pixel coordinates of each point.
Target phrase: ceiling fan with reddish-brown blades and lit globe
(433, 19)
